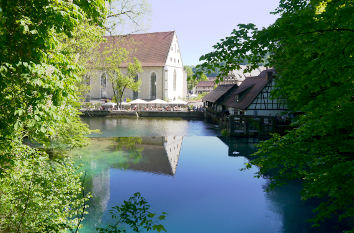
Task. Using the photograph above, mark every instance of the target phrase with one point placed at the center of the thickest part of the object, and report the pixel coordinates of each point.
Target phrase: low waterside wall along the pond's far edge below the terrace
(167, 114)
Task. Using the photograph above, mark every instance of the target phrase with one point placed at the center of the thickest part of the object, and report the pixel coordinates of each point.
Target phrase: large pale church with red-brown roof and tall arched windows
(163, 76)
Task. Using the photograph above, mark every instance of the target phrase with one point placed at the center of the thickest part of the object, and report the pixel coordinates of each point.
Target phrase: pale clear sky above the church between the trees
(200, 24)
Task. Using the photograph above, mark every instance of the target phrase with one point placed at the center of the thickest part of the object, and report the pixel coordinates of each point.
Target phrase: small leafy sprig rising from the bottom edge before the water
(134, 213)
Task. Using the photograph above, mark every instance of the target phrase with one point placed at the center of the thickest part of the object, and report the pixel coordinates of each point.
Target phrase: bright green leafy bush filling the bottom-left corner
(35, 195)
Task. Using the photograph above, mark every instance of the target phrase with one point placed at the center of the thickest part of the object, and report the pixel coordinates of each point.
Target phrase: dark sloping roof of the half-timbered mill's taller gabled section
(248, 90)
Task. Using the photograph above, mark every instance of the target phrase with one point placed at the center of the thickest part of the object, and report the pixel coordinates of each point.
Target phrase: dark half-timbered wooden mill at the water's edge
(248, 109)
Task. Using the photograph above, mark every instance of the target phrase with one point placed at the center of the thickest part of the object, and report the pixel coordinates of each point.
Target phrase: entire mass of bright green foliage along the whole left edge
(39, 79)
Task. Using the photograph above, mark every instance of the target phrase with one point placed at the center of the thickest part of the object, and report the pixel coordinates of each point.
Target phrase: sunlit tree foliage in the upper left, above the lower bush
(38, 76)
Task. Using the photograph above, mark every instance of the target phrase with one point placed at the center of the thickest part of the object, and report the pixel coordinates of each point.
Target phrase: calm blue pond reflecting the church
(187, 170)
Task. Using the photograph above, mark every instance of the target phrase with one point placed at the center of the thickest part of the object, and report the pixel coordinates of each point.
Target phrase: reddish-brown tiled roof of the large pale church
(151, 49)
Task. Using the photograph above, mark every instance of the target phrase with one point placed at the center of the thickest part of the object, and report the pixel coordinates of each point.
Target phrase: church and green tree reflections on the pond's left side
(158, 155)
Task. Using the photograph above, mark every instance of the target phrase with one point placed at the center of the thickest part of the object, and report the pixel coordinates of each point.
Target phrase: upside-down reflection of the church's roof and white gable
(159, 155)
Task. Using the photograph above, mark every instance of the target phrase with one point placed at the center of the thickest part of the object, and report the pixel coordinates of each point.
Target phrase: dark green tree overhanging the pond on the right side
(310, 46)
